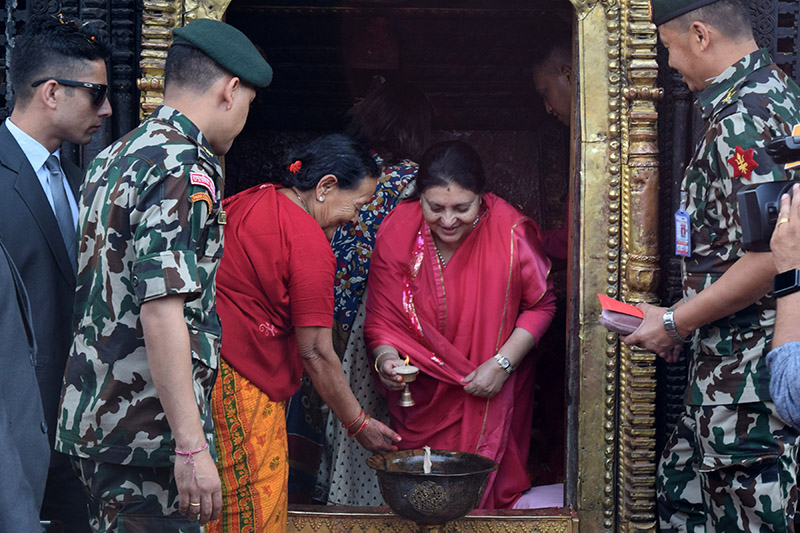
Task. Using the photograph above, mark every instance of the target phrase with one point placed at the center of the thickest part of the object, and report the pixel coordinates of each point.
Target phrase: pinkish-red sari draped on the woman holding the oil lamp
(449, 321)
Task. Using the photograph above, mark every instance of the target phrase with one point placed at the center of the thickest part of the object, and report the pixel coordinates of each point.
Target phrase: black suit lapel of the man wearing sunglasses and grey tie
(30, 191)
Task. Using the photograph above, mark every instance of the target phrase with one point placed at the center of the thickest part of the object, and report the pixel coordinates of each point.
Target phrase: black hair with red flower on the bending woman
(336, 154)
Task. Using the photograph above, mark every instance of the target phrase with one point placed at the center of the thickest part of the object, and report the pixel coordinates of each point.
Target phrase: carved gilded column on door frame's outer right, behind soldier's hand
(639, 264)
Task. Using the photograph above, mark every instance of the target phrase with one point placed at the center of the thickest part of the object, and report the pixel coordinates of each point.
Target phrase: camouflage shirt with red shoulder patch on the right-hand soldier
(745, 107)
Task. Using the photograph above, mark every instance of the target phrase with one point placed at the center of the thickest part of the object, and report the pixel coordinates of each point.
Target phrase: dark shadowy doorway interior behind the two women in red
(474, 63)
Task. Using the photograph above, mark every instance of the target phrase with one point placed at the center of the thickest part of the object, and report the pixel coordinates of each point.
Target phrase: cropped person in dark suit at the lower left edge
(23, 432)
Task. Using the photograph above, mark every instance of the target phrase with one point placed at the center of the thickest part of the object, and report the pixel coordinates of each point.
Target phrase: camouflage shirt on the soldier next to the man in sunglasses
(148, 228)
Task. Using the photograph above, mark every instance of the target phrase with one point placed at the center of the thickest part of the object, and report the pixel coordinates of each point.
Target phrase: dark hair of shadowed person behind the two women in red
(395, 120)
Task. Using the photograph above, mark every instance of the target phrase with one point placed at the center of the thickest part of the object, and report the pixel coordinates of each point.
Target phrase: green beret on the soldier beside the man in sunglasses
(227, 46)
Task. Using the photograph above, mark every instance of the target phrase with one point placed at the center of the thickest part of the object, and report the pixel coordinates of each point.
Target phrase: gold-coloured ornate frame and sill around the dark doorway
(610, 482)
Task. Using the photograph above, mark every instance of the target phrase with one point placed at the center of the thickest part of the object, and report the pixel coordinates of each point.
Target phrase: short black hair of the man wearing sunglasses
(52, 47)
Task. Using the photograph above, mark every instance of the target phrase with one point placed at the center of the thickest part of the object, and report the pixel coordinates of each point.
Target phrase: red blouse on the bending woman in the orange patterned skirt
(277, 273)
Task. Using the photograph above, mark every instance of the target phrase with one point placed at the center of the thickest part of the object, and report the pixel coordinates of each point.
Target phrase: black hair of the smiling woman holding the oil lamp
(451, 162)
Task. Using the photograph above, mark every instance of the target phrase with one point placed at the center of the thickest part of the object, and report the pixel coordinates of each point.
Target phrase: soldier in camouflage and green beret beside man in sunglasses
(144, 360)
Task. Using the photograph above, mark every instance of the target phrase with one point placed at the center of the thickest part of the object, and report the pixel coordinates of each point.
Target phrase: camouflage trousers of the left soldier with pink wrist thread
(132, 499)
